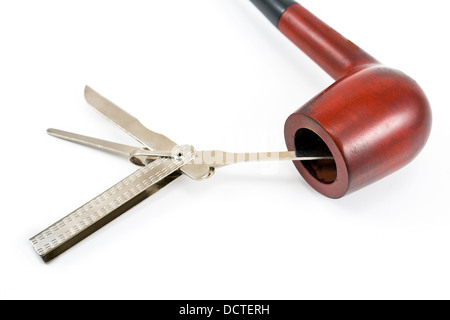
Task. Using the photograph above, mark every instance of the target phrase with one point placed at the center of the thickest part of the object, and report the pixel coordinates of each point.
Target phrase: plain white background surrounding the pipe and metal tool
(215, 74)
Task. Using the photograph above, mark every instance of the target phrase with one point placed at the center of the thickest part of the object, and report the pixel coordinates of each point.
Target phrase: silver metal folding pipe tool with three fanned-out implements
(163, 161)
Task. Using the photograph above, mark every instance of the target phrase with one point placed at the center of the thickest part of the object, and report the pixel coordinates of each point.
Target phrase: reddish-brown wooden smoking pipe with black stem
(373, 120)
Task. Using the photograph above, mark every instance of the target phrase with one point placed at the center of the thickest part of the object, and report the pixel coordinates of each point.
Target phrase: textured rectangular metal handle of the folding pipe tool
(79, 224)
